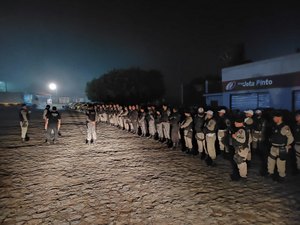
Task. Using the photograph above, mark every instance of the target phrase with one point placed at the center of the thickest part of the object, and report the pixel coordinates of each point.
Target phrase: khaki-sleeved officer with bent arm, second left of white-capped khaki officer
(187, 126)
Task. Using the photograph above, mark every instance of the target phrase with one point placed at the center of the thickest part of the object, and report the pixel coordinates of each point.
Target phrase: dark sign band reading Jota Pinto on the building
(275, 81)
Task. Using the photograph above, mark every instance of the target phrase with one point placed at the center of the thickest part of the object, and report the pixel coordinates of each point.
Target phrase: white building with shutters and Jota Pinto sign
(271, 83)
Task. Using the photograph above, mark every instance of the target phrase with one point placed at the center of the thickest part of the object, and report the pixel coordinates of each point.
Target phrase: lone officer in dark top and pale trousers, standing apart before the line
(91, 118)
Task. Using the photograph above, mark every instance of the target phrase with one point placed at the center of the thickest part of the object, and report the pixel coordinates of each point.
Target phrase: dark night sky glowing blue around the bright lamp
(71, 42)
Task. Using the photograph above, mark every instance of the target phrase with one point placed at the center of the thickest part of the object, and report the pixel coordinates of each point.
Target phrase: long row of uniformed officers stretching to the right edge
(236, 136)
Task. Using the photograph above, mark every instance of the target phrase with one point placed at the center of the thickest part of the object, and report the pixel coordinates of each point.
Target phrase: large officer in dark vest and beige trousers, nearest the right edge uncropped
(281, 140)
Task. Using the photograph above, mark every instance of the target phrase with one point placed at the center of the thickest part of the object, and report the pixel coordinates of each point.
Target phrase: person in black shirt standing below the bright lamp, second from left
(52, 124)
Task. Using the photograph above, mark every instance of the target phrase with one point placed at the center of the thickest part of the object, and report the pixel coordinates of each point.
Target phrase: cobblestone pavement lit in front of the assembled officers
(125, 179)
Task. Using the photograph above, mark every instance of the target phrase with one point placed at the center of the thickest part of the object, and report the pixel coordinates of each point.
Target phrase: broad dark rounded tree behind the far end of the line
(127, 86)
